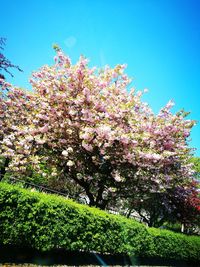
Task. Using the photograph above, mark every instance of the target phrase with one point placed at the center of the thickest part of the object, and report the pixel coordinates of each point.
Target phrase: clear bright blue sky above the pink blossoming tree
(158, 39)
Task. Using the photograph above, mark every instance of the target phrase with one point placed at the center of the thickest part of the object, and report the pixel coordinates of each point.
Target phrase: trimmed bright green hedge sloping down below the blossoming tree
(44, 222)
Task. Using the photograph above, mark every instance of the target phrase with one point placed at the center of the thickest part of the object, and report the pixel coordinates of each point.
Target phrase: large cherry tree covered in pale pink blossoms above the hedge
(93, 133)
